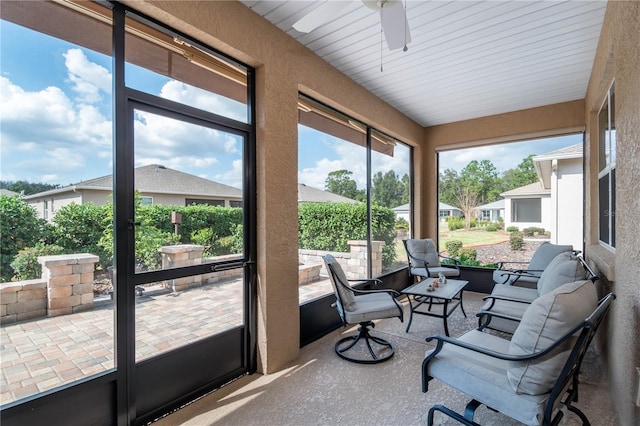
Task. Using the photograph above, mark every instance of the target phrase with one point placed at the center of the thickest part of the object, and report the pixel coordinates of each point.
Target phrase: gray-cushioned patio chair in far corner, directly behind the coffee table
(424, 260)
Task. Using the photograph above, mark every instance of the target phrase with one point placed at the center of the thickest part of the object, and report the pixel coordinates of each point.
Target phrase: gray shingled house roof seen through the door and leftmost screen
(156, 178)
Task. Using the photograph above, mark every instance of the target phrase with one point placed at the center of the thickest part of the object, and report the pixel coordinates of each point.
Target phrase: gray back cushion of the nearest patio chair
(546, 320)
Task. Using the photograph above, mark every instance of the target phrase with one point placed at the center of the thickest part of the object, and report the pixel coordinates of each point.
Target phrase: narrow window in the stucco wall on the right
(607, 171)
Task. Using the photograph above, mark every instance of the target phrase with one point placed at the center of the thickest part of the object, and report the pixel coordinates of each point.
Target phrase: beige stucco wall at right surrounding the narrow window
(618, 58)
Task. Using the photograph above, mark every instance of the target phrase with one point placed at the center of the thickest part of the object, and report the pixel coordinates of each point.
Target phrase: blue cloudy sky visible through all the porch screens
(56, 124)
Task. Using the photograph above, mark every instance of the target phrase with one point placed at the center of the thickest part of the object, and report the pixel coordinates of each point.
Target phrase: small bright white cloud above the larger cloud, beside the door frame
(89, 78)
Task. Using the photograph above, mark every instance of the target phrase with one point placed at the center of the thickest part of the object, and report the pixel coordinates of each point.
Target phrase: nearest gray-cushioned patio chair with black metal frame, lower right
(531, 378)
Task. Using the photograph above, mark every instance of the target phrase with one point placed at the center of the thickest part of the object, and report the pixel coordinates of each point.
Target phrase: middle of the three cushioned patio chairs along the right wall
(506, 304)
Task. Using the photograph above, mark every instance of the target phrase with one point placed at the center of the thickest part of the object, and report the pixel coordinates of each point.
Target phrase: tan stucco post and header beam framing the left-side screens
(283, 68)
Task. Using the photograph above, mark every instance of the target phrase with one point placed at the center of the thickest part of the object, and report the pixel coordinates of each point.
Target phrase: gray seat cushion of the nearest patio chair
(485, 378)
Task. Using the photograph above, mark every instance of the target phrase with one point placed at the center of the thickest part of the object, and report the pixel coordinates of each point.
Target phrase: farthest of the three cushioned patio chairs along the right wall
(529, 276)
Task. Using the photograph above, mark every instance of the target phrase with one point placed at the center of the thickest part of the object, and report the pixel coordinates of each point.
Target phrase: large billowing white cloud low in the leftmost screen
(45, 134)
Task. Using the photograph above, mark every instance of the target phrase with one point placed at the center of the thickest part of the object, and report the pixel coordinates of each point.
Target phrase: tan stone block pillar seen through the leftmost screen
(69, 279)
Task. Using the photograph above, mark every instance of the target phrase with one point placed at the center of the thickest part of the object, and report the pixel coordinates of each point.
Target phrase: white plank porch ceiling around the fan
(467, 59)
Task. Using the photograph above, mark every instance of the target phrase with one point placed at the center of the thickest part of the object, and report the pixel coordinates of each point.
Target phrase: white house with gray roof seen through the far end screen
(555, 201)
